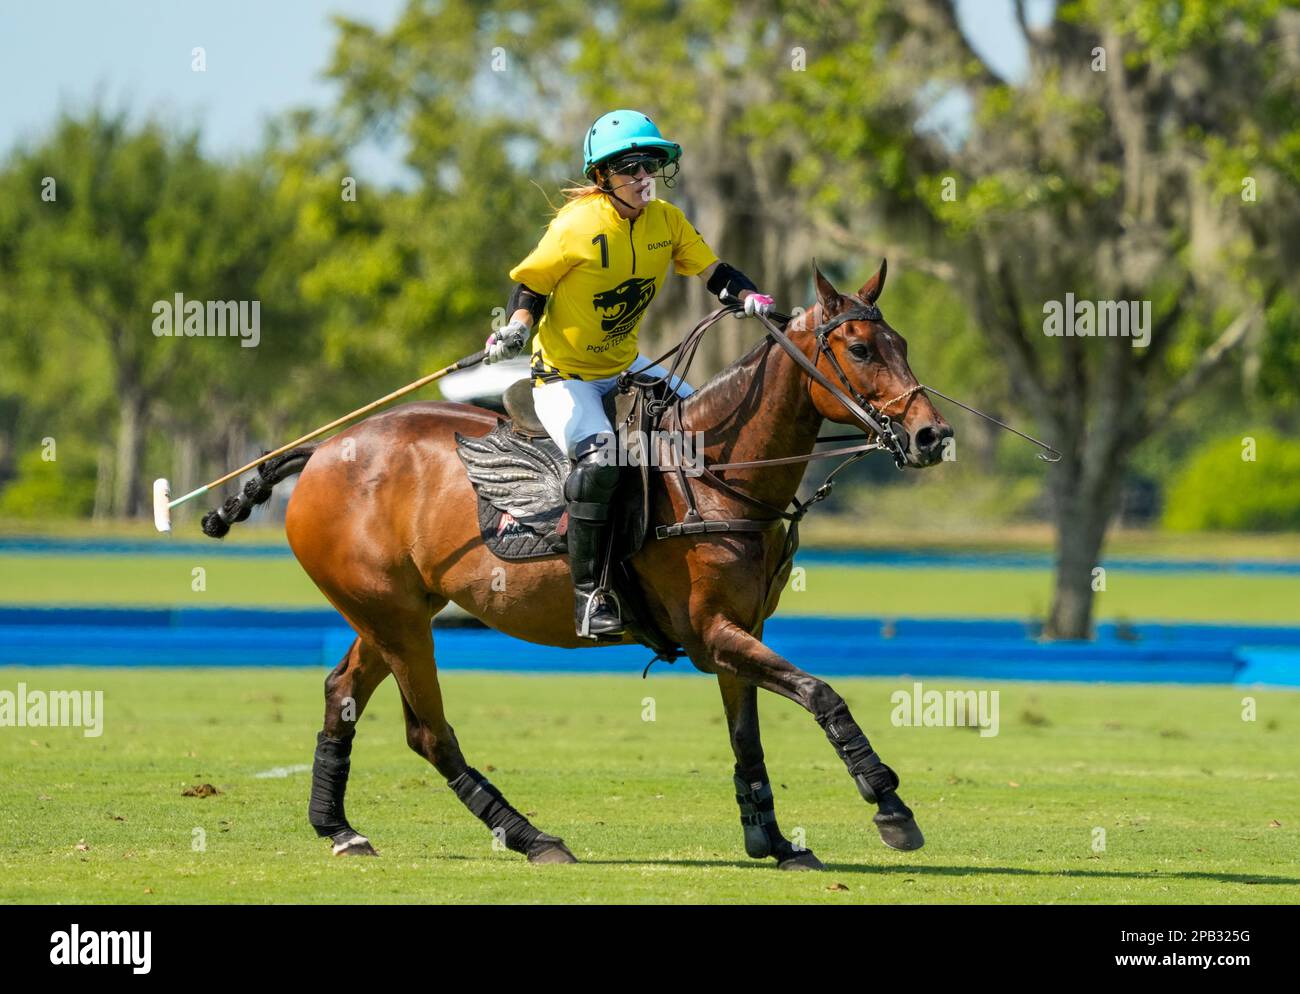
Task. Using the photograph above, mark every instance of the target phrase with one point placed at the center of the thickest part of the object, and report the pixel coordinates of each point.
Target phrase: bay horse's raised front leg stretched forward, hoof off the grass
(734, 650)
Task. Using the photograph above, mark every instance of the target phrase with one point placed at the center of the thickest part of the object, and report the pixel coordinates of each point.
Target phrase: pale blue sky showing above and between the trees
(263, 58)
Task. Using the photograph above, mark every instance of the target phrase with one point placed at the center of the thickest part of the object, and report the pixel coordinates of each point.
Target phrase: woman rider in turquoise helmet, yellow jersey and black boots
(587, 287)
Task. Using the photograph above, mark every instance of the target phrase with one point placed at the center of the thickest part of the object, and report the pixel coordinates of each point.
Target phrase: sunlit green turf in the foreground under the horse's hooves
(1198, 805)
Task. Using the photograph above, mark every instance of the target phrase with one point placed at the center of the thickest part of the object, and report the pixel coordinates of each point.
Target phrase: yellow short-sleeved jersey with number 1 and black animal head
(601, 271)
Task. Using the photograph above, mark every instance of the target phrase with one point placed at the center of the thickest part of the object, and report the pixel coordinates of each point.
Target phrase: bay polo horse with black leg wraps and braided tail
(384, 520)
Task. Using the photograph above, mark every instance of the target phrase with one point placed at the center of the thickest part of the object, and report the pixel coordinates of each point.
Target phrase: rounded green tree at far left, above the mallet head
(129, 218)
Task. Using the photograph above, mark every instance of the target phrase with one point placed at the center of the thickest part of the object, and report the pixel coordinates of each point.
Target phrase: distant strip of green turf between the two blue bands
(826, 589)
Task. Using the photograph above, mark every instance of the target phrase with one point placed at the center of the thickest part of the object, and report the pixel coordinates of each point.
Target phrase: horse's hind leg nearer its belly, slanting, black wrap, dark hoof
(430, 735)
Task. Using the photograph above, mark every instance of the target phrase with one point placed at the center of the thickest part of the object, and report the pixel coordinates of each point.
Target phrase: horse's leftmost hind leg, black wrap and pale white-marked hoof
(348, 689)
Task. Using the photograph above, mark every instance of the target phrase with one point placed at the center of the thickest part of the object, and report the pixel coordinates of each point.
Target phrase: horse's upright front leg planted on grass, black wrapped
(753, 789)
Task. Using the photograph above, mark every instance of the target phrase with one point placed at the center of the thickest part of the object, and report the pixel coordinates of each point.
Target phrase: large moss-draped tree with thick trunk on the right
(1121, 170)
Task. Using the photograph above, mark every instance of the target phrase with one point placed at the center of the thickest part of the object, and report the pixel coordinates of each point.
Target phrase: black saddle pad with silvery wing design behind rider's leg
(521, 488)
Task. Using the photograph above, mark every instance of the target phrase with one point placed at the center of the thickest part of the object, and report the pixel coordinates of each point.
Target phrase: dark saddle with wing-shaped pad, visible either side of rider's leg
(518, 474)
